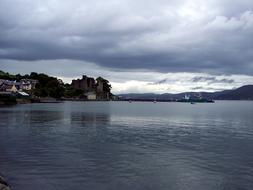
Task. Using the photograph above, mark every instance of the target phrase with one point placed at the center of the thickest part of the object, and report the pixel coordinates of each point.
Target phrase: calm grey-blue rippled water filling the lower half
(118, 145)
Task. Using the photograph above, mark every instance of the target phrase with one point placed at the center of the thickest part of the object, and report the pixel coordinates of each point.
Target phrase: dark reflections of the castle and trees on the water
(33, 117)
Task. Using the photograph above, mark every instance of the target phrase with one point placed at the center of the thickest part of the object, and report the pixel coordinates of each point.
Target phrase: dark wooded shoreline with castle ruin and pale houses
(43, 88)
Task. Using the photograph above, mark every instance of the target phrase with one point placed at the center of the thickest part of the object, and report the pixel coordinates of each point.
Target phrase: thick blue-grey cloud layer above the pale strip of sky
(180, 36)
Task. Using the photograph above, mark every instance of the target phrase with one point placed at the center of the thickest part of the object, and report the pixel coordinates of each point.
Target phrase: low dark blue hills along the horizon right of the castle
(242, 93)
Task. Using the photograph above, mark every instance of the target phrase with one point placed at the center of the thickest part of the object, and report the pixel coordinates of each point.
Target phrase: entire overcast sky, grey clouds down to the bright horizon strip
(139, 45)
